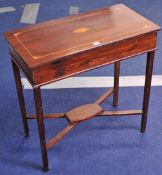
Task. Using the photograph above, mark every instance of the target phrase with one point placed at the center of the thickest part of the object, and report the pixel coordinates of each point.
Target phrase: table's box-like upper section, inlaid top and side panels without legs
(71, 52)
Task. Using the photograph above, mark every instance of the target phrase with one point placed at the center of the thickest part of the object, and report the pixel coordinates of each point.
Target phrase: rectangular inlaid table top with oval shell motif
(50, 41)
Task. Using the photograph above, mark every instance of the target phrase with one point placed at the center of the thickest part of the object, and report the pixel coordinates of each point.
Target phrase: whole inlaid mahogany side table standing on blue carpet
(57, 49)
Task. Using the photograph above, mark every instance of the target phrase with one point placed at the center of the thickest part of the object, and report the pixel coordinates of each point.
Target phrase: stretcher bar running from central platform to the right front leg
(120, 113)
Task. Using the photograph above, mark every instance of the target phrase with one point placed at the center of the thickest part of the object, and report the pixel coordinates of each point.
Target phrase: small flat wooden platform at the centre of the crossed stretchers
(84, 112)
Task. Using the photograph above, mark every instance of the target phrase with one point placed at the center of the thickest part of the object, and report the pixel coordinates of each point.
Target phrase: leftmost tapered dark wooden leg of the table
(19, 88)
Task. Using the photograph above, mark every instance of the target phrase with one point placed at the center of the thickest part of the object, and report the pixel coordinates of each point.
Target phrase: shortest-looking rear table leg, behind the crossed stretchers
(116, 83)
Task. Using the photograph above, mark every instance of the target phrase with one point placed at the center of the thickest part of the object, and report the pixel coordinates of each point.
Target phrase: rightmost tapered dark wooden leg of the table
(148, 78)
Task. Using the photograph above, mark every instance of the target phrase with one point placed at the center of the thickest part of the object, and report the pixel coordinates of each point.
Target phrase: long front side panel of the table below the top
(94, 58)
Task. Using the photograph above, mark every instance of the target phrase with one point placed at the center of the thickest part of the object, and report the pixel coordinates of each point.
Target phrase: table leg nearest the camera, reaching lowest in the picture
(39, 113)
